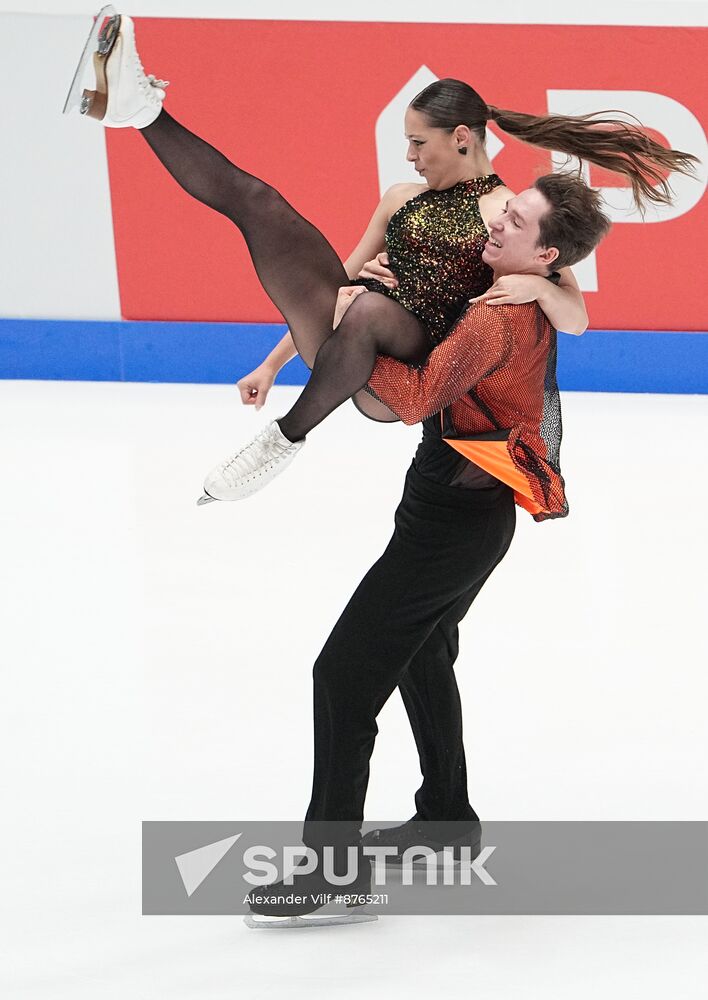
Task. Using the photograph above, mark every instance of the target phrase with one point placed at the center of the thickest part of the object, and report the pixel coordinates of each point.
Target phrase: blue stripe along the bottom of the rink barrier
(599, 361)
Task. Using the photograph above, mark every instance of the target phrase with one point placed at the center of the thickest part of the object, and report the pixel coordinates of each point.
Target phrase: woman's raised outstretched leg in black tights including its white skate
(297, 267)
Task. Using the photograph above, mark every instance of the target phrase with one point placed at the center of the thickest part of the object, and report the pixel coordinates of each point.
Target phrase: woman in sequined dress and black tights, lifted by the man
(299, 269)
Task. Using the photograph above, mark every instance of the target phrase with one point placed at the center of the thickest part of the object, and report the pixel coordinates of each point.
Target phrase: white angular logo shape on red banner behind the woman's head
(390, 144)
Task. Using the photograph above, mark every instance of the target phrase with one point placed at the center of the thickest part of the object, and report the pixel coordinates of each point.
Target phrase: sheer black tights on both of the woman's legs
(301, 274)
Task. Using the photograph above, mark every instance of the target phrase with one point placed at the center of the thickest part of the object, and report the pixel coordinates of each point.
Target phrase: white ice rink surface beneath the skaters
(142, 633)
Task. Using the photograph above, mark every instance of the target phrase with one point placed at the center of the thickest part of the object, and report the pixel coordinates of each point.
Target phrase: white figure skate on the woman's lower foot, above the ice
(251, 468)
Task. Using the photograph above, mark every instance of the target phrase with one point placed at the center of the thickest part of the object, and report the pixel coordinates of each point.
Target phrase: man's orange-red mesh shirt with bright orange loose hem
(496, 372)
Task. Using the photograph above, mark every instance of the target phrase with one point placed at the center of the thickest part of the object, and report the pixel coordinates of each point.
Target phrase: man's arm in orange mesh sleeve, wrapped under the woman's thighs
(481, 341)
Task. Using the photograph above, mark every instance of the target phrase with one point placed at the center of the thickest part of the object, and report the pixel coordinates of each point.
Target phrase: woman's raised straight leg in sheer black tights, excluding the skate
(296, 265)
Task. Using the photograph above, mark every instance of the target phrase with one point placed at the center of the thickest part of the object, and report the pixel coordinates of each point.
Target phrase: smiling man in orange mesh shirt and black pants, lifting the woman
(492, 428)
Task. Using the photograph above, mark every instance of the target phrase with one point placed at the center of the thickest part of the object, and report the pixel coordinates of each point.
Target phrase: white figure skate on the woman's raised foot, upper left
(124, 96)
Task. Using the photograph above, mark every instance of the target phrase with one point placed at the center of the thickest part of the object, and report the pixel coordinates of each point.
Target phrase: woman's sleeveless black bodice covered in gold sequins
(434, 244)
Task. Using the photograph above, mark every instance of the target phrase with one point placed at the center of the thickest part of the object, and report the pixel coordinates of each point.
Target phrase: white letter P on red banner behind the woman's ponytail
(676, 123)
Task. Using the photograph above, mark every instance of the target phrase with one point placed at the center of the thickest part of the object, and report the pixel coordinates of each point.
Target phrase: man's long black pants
(399, 629)
